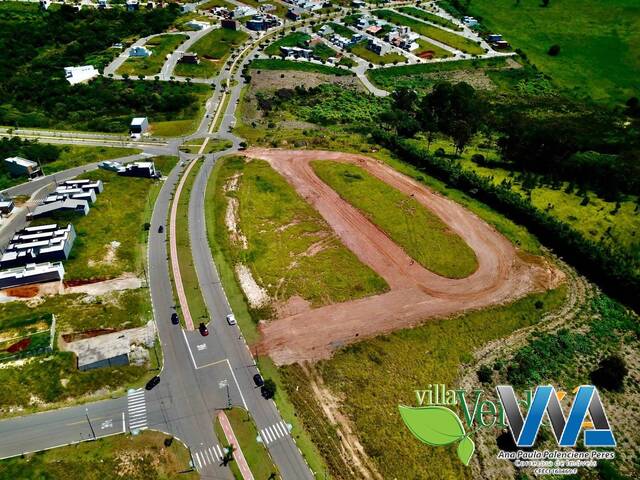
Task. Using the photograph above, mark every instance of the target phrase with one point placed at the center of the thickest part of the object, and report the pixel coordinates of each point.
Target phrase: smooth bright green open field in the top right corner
(599, 41)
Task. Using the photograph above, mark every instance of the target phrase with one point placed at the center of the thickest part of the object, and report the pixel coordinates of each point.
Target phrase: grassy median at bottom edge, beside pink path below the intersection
(255, 453)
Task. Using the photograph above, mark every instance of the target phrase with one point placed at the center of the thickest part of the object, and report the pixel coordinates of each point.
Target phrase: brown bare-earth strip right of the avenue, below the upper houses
(275, 79)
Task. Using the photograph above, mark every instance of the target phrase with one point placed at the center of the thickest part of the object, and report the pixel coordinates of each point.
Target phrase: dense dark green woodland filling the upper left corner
(34, 91)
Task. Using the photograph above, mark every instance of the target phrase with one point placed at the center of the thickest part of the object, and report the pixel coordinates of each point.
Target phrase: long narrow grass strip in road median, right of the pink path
(197, 307)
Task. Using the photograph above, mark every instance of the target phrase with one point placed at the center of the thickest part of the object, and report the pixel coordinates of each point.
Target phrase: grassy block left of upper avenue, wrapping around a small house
(213, 50)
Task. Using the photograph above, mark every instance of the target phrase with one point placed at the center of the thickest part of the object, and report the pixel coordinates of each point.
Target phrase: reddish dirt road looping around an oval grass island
(415, 294)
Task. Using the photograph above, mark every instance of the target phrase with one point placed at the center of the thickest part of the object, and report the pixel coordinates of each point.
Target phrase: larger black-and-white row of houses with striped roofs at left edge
(43, 243)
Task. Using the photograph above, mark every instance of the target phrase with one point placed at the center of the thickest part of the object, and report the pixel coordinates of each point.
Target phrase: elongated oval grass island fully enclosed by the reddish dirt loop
(418, 231)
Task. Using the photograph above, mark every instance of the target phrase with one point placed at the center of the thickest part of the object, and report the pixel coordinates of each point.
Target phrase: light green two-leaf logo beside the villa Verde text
(436, 425)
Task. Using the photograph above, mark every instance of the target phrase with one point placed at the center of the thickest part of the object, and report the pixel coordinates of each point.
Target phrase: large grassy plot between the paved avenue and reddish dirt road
(291, 251)
